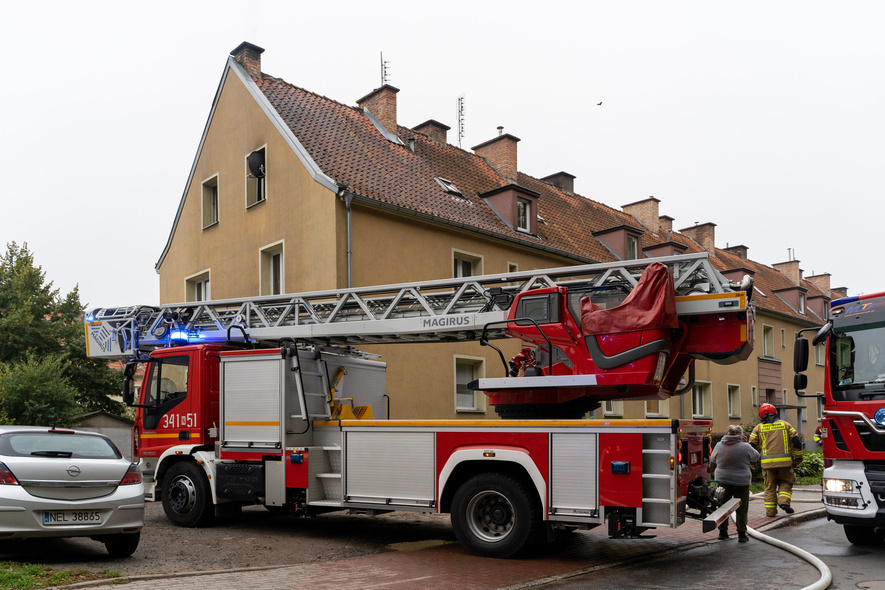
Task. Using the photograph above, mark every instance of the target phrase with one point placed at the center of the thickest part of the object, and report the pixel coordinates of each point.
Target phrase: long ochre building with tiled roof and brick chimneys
(294, 192)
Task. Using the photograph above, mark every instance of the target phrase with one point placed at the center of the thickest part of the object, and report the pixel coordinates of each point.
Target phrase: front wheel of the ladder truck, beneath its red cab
(186, 496)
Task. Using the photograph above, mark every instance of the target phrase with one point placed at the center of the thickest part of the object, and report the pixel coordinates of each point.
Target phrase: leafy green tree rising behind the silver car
(38, 326)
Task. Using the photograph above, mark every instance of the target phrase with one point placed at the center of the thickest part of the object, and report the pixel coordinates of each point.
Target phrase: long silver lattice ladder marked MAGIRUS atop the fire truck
(429, 311)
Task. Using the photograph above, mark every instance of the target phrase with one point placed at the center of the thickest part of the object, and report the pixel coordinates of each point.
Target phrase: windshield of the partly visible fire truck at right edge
(857, 355)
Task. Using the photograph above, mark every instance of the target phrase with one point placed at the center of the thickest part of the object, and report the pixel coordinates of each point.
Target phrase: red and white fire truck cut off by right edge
(853, 422)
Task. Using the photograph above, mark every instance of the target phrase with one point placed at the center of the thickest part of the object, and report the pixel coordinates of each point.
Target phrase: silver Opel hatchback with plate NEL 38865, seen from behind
(68, 483)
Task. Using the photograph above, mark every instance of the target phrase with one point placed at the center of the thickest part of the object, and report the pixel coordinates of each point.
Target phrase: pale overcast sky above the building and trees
(765, 118)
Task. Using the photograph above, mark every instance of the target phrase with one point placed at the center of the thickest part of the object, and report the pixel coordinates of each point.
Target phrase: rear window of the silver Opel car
(49, 444)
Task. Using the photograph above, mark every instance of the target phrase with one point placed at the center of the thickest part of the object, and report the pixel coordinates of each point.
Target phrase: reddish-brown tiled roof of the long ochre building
(347, 146)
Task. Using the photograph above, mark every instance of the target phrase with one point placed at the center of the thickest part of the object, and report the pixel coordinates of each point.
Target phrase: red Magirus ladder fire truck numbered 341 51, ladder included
(270, 400)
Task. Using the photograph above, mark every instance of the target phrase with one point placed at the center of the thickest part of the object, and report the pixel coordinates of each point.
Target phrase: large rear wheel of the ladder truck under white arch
(495, 515)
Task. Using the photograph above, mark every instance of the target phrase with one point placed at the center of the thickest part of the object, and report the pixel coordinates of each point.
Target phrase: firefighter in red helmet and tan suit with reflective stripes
(778, 443)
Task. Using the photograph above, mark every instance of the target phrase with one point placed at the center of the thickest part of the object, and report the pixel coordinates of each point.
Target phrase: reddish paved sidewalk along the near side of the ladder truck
(449, 566)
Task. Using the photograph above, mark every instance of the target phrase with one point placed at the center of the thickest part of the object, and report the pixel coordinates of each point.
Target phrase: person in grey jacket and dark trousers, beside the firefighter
(732, 459)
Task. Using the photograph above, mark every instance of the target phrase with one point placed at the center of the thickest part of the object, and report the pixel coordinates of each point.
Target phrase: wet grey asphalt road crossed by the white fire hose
(752, 566)
